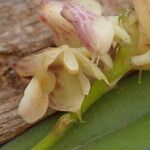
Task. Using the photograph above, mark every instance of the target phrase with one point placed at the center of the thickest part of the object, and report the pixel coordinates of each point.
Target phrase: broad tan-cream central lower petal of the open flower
(68, 95)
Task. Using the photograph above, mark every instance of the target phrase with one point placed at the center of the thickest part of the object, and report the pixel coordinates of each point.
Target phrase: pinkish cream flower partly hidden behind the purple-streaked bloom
(64, 32)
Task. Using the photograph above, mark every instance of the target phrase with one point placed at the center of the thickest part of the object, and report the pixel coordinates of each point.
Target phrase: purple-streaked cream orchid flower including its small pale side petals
(95, 31)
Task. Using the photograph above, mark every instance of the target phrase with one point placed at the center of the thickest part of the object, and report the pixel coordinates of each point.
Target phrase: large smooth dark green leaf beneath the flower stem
(120, 120)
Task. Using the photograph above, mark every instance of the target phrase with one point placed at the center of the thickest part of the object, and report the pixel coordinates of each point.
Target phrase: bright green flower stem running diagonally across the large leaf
(99, 88)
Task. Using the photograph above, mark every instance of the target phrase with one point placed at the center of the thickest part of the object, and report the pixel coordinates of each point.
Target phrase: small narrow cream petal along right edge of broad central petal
(85, 83)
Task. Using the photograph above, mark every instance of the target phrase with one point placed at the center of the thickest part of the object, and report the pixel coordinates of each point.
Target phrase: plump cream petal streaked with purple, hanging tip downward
(95, 31)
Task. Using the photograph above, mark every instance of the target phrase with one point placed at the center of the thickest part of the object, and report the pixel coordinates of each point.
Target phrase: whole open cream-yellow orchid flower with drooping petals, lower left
(60, 80)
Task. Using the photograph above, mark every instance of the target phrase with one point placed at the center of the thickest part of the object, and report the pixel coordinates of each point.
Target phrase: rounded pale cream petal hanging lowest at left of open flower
(34, 103)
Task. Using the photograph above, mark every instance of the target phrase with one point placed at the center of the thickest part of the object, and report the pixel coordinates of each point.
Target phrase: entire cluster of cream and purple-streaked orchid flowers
(86, 44)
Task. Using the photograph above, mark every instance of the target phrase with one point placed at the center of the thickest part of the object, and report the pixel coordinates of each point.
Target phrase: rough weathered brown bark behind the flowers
(21, 34)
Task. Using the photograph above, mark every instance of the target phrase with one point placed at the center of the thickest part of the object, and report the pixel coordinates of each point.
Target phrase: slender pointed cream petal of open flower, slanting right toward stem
(90, 68)
